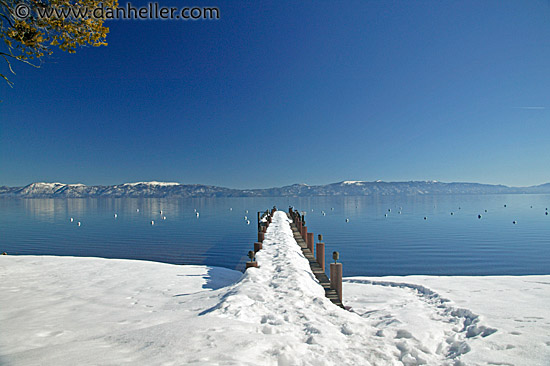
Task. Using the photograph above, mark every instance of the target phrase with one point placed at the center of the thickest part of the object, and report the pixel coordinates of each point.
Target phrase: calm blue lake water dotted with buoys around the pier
(369, 244)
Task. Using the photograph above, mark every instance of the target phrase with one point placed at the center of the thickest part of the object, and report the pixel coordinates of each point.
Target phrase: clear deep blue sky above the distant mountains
(282, 92)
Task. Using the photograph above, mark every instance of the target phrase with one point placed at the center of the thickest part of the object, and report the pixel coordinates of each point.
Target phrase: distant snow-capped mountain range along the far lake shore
(345, 188)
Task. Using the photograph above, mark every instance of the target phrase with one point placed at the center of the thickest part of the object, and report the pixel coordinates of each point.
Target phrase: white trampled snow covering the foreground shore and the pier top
(67, 311)
